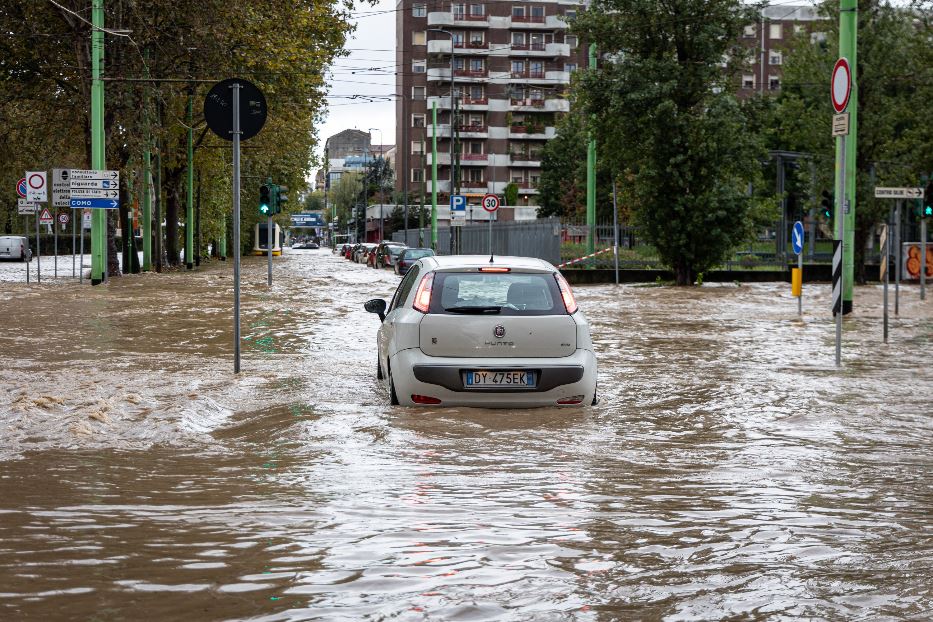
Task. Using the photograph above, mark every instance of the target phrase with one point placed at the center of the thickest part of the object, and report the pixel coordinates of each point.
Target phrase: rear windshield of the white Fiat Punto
(512, 293)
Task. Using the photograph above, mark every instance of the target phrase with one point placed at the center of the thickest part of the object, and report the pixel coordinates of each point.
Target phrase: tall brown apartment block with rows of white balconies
(508, 65)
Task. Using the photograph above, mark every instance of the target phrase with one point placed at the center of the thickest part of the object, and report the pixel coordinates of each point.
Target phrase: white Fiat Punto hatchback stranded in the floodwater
(480, 331)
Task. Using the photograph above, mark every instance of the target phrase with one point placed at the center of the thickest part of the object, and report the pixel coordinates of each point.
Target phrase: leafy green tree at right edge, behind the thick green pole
(895, 90)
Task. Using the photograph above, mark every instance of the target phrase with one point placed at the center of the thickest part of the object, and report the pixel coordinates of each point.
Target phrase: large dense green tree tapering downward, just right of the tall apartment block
(669, 128)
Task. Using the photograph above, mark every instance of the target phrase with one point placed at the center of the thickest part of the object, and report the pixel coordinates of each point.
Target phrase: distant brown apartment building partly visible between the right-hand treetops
(769, 43)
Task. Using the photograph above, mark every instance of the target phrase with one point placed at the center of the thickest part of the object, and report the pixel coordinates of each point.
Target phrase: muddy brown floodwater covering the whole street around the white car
(729, 469)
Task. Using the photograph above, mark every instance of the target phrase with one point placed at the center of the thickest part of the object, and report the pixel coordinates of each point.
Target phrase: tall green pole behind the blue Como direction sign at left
(98, 216)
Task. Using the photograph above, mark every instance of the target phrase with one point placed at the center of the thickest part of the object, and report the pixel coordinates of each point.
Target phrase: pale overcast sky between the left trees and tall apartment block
(372, 58)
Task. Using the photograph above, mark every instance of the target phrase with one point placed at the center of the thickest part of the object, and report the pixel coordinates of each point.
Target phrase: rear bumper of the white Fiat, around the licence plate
(558, 378)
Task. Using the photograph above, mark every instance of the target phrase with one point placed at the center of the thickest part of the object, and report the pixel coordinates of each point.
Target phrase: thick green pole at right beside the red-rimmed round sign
(848, 39)
